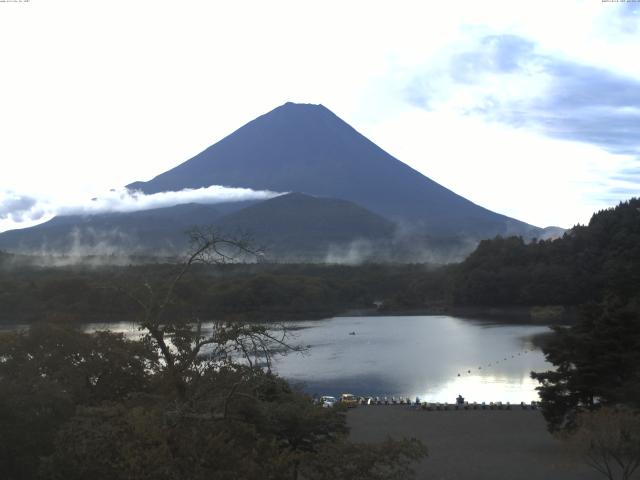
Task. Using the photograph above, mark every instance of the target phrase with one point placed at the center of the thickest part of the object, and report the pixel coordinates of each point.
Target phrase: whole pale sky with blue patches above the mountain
(530, 109)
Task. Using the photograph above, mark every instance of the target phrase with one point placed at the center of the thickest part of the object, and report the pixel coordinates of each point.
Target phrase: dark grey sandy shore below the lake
(474, 444)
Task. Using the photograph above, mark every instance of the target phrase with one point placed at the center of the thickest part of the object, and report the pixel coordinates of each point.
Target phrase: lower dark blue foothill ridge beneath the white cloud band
(291, 226)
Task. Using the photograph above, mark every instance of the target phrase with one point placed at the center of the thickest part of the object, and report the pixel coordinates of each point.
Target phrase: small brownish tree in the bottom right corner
(609, 440)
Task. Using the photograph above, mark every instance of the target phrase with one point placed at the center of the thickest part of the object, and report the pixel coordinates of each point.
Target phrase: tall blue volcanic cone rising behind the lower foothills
(307, 148)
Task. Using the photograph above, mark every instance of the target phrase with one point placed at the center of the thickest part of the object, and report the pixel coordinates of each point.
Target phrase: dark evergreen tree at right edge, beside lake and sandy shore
(597, 362)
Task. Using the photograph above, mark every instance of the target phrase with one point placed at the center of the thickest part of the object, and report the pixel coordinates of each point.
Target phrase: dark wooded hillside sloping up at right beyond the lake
(585, 265)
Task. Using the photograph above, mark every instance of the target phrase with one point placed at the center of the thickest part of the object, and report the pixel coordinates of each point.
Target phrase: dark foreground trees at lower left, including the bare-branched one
(184, 402)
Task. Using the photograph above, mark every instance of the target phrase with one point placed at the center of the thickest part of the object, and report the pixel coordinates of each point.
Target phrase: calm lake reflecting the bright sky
(435, 357)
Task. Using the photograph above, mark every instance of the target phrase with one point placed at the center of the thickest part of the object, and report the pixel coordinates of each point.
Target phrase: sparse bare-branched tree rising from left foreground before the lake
(187, 346)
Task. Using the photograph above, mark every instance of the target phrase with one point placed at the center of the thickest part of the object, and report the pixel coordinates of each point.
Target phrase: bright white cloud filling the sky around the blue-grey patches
(100, 94)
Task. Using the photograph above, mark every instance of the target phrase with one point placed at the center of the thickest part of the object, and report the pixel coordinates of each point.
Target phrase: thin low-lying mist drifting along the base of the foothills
(89, 245)
